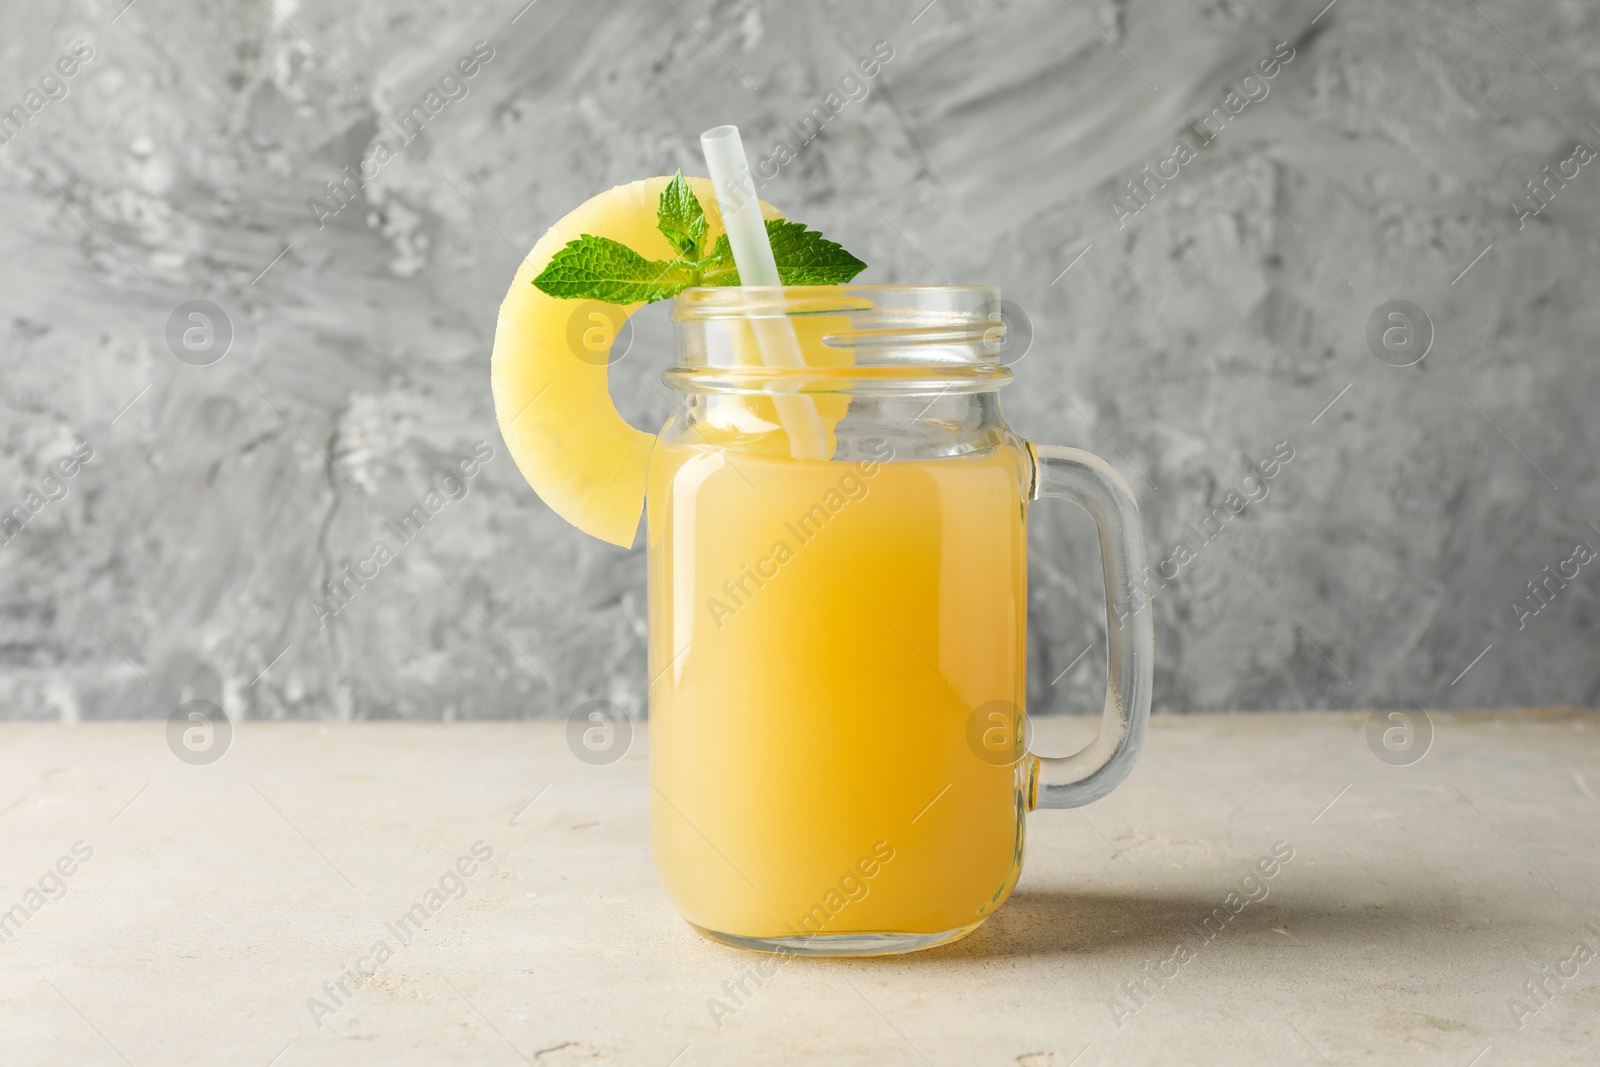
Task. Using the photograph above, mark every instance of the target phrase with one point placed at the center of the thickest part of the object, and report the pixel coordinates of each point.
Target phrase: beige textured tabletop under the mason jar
(1431, 914)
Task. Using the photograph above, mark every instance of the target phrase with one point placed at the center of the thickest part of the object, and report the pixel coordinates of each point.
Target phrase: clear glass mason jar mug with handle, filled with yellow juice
(838, 641)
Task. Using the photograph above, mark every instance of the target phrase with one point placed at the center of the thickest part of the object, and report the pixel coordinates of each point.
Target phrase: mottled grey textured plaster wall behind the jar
(1183, 340)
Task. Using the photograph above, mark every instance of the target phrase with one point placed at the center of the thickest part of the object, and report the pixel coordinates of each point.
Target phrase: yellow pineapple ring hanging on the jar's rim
(550, 369)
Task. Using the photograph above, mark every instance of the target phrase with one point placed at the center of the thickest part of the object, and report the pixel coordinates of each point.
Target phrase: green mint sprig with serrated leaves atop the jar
(602, 270)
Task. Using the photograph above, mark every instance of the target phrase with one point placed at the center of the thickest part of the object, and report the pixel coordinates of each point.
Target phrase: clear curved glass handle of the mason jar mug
(1094, 486)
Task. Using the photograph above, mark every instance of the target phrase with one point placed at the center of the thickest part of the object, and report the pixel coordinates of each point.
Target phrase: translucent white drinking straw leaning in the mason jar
(753, 255)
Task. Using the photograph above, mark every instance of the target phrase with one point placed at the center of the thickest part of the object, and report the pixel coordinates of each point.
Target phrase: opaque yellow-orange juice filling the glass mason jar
(823, 636)
